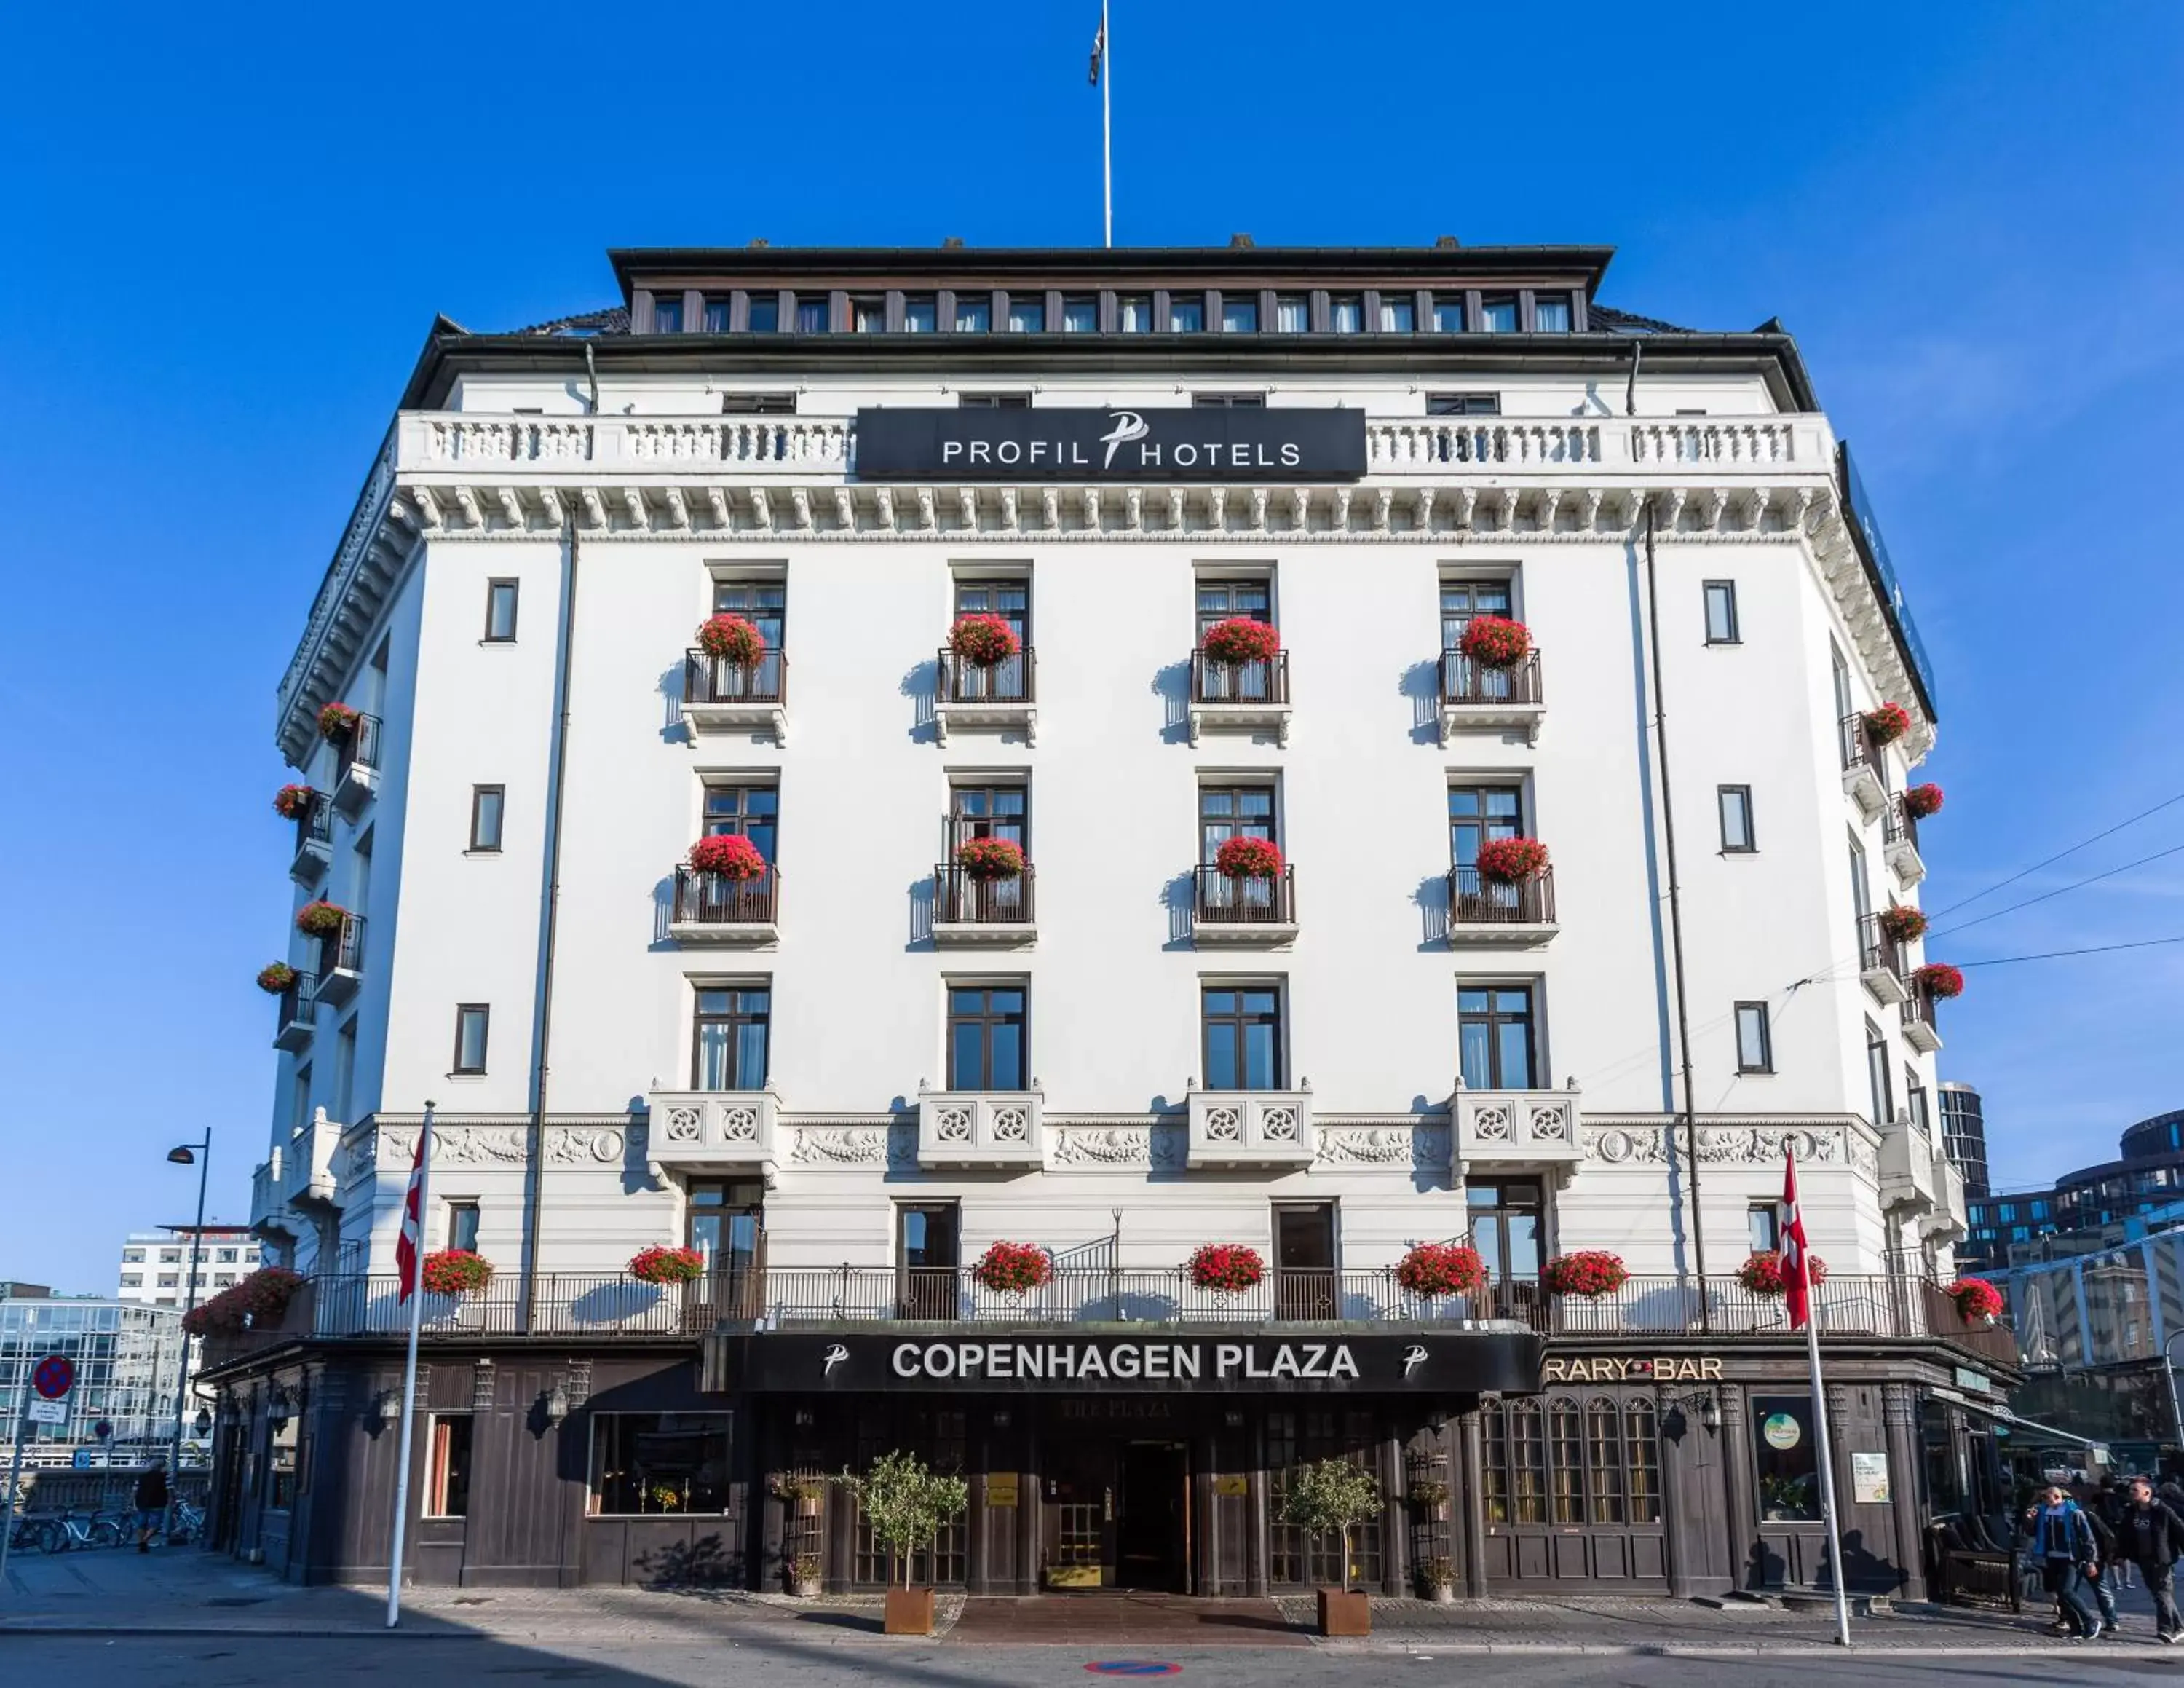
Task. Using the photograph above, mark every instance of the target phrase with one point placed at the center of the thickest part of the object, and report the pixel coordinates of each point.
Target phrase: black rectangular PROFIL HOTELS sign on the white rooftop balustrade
(1073, 447)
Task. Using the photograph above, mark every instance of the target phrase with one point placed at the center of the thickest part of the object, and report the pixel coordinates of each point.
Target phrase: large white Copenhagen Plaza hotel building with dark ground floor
(846, 1080)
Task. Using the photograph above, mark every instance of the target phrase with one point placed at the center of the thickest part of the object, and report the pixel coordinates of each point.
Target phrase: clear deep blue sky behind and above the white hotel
(228, 233)
